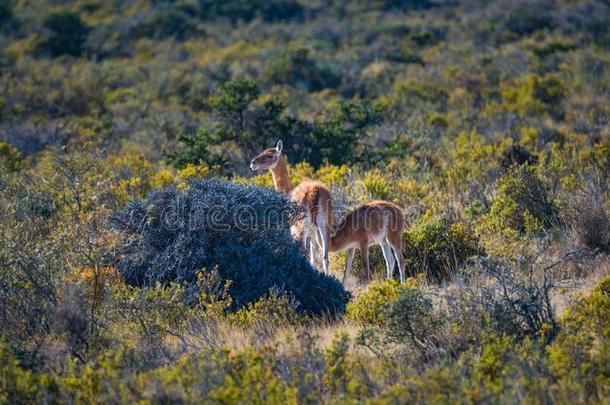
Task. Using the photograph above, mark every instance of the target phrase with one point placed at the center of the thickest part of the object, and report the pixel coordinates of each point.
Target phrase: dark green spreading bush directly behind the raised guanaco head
(243, 126)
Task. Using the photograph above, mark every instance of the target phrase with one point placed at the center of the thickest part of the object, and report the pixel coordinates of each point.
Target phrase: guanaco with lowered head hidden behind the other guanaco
(378, 222)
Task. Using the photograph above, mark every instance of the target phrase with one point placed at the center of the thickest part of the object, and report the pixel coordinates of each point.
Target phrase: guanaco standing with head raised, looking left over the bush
(312, 195)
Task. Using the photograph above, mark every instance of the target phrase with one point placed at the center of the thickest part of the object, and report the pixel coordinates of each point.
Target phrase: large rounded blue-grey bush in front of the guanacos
(241, 230)
